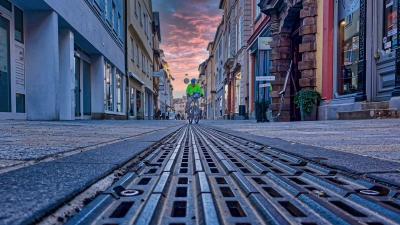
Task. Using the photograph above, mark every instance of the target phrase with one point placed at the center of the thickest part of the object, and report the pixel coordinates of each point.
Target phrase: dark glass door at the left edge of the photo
(5, 75)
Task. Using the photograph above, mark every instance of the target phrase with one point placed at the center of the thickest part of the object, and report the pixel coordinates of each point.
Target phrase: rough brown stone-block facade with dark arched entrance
(295, 31)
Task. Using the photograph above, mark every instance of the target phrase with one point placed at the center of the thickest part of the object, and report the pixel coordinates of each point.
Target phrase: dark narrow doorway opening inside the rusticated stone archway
(296, 74)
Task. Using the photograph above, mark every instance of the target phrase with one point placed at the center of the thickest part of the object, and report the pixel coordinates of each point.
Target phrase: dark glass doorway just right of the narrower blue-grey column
(82, 87)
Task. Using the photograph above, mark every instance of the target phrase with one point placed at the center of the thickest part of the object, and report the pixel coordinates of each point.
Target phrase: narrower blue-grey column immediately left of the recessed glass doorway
(66, 96)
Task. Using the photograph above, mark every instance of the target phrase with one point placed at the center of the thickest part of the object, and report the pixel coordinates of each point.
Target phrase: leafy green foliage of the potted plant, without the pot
(305, 100)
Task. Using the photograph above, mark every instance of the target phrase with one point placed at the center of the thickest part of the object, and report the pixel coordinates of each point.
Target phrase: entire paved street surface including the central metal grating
(212, 173)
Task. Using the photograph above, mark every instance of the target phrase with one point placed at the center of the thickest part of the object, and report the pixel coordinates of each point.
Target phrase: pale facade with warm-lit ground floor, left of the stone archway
(237, 16)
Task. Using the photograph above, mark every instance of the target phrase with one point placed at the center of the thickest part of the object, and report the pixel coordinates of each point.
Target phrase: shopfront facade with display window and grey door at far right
(360, 65)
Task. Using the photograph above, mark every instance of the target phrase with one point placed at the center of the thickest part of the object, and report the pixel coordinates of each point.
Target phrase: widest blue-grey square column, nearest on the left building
(42, 65)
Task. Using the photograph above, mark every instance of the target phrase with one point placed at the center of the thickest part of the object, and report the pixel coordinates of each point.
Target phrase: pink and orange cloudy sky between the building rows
(187, 26)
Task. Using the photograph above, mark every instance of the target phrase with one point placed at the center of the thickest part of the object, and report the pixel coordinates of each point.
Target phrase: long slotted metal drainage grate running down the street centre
(203, 176)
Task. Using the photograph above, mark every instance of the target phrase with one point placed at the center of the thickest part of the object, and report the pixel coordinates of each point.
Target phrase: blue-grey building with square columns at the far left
(82, 51)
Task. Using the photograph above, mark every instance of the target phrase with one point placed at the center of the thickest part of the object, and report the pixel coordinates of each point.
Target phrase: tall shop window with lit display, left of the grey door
(348, 46)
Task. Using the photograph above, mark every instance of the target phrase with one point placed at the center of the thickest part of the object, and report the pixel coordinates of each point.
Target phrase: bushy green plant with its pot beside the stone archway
(307, 101)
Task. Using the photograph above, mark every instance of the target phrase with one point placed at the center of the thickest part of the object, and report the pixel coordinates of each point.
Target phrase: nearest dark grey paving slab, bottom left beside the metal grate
(28, 193)
